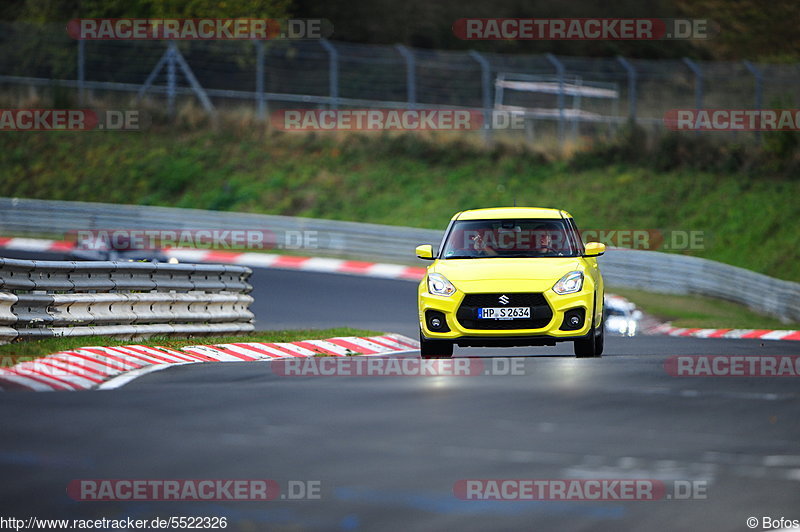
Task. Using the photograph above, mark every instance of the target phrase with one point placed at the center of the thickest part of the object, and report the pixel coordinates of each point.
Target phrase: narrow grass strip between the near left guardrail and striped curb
(26, 350)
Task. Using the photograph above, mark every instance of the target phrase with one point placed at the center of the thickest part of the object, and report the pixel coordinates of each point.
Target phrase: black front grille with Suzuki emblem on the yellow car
(467, 314)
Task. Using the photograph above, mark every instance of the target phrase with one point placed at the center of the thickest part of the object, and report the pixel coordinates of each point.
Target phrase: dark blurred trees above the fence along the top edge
(754, 29)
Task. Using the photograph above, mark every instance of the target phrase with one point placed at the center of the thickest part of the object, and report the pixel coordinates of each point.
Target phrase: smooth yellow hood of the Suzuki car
(548, 268)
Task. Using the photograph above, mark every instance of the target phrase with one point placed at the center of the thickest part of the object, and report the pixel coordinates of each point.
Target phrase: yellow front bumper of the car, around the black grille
(545, 335)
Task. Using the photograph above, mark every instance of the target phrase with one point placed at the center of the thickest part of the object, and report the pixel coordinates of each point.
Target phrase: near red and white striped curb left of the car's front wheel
(89, 368)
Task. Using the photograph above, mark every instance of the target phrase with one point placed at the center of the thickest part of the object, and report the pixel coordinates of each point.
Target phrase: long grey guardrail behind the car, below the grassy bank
(649, 270)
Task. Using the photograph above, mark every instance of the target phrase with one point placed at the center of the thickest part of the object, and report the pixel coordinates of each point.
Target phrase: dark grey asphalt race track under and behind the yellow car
(388, 450)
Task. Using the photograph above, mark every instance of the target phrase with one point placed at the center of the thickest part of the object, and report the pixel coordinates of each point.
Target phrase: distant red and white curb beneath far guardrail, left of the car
(251, 259)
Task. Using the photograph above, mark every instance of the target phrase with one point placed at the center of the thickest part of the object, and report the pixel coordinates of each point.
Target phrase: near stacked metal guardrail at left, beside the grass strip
(122, 299)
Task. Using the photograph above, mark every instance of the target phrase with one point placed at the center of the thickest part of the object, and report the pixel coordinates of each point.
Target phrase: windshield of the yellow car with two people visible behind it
(527, 238)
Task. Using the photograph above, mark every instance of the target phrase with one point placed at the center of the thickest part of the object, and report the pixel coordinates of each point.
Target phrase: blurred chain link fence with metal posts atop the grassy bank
(272, 75)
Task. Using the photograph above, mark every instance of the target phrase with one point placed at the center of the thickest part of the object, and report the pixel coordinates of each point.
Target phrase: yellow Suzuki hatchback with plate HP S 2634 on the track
(512, 276)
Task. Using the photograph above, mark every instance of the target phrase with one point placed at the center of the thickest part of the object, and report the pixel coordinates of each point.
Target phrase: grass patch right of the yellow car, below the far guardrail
(701, 312)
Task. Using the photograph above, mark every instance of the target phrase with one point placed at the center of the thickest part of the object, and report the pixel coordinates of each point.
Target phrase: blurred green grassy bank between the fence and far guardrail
(746, 211)
